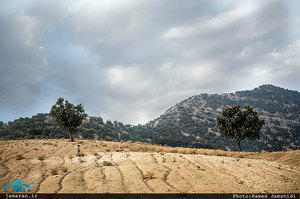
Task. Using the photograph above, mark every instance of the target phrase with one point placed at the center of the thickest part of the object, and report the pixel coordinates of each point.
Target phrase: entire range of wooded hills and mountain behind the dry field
(190, 123)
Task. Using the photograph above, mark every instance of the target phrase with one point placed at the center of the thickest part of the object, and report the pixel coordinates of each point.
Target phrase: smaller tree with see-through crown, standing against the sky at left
(68, 116)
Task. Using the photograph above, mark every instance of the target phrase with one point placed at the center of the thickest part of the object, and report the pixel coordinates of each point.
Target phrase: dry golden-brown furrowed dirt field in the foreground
(126, 167)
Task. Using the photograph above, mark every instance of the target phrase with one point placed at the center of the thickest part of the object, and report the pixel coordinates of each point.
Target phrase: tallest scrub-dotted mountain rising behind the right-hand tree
(192, 122)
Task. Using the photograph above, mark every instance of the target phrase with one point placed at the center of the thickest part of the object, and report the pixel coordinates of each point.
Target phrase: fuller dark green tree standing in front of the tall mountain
(239, 124)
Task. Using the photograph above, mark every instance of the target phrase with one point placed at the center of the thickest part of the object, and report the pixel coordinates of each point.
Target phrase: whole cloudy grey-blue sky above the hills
(131, 60)
